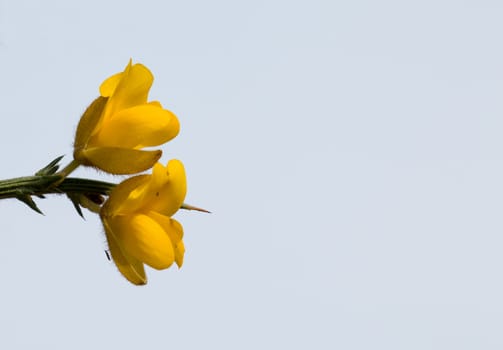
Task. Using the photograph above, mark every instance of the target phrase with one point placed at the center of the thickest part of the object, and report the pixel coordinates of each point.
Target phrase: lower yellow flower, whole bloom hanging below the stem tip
(138, 224)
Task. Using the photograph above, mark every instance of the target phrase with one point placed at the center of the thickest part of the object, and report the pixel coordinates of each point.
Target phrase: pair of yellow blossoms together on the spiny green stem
(111, 136)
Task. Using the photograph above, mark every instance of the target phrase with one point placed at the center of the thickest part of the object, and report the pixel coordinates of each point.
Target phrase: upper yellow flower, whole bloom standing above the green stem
(119, 123)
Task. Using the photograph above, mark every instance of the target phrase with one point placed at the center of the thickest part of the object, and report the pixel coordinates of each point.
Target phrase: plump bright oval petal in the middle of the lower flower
(143, 238)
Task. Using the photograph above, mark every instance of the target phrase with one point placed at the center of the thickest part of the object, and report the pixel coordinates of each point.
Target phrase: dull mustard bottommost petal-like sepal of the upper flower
(118, 161)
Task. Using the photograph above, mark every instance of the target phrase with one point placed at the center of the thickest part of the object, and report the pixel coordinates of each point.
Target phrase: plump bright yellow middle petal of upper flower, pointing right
(137, 127)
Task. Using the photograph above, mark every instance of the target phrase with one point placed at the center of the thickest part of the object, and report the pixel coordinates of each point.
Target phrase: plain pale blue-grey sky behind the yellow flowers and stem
(350, 152)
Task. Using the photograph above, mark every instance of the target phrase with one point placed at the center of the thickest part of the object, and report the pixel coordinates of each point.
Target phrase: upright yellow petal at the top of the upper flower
(131, 89)
